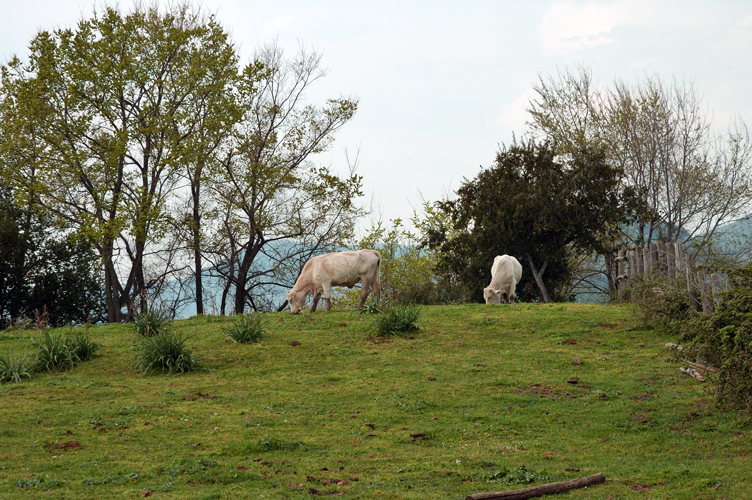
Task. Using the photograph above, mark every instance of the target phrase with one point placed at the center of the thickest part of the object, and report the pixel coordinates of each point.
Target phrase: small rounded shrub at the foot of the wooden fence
(662, 302)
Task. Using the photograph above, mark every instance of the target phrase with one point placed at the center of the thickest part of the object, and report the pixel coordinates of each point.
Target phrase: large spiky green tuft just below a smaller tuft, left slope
(165, 352)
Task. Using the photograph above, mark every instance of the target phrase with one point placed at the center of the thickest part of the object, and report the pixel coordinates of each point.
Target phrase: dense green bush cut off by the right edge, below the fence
(724, 340)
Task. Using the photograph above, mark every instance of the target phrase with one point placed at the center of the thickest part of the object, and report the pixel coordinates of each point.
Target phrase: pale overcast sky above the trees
(442, 84)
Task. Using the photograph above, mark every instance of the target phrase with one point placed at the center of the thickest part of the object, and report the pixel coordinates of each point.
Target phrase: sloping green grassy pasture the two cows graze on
(478, 400)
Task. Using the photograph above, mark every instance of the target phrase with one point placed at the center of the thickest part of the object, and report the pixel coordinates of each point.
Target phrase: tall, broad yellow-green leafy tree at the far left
(98, 125)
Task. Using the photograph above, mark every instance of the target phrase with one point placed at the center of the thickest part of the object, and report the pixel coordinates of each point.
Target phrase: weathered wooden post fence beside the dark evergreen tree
(669, 260)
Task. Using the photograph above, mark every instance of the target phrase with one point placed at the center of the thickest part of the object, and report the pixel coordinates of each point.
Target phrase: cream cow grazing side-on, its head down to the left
(323, 272)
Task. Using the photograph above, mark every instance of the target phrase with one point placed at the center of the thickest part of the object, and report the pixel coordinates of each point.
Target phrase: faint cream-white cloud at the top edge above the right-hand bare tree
(569, 27)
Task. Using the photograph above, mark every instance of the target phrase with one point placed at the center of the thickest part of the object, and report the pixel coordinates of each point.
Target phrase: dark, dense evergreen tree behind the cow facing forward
(536, 206)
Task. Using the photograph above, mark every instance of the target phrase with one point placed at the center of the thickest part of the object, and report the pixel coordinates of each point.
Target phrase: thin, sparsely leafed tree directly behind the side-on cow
(279, 208)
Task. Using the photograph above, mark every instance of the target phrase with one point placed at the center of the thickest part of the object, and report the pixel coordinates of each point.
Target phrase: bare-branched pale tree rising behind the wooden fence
(693, 177)
